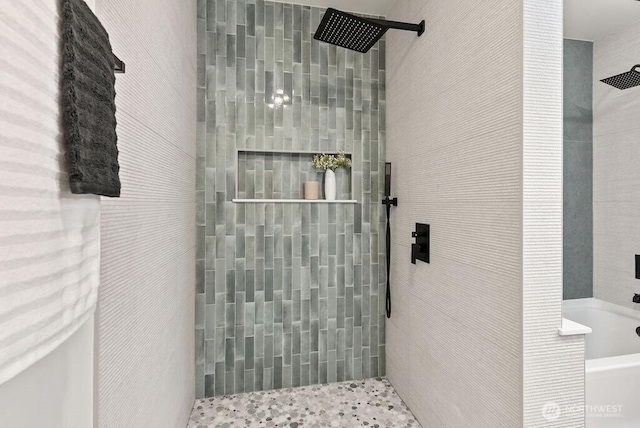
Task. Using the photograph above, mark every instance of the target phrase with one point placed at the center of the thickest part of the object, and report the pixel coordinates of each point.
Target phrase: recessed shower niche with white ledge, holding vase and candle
(264, 175)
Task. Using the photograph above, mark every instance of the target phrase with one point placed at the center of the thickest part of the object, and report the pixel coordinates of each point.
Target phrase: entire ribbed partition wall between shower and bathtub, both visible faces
(475, 137)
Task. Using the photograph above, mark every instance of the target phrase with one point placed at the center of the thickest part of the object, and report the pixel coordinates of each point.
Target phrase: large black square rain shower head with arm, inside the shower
(357, 33)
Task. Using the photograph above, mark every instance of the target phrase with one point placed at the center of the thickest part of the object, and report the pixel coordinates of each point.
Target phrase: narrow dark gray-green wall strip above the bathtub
(578, 169)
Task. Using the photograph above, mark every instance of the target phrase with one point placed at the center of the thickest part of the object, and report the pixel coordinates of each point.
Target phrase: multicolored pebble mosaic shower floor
(369, 403)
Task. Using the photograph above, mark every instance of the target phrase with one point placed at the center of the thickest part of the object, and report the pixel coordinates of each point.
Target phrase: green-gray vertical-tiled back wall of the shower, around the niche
(287, 294)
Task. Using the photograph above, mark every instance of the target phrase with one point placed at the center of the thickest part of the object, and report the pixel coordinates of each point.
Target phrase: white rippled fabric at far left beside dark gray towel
(49, 238)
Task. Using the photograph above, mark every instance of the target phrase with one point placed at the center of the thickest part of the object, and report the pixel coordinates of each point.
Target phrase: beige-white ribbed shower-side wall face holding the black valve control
(456, 170)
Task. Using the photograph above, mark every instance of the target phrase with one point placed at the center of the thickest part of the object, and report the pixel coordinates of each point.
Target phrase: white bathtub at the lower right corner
(612, 362)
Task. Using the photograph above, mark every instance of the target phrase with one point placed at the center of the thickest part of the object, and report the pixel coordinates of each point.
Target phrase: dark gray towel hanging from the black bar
(88, 102)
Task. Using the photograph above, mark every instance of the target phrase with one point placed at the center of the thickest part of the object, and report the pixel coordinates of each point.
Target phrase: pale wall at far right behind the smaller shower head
(616, 176)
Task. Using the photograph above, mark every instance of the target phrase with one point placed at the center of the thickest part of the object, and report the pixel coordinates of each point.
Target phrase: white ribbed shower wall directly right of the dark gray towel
(145, 318)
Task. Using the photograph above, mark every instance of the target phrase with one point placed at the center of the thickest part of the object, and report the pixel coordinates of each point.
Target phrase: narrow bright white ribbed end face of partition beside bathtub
(553, 366)
